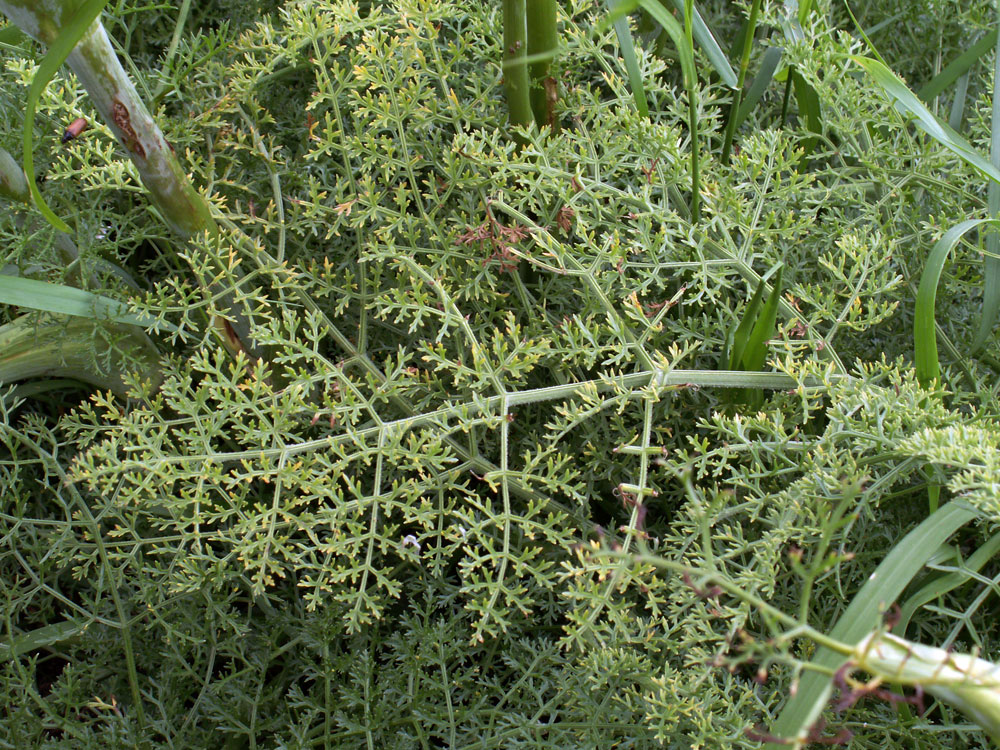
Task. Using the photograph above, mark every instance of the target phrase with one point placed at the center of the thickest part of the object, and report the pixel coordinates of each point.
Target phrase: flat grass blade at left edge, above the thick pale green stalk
(67, 300)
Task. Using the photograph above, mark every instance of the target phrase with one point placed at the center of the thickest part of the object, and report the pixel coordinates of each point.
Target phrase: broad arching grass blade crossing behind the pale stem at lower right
(884, 586)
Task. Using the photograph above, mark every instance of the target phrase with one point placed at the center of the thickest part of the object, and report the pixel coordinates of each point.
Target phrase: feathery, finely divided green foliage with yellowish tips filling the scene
(438, 515)
